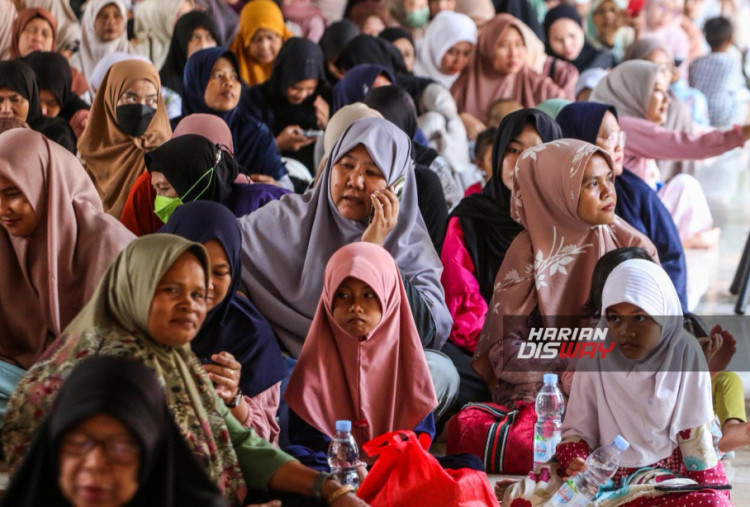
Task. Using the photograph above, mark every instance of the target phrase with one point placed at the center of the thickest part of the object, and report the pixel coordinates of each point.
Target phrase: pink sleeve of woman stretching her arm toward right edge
(647, 140)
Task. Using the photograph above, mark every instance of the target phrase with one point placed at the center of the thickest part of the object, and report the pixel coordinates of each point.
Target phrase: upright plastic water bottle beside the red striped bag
(550, 406)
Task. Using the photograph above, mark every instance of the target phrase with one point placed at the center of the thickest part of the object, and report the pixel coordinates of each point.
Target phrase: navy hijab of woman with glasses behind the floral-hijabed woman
(637, 203)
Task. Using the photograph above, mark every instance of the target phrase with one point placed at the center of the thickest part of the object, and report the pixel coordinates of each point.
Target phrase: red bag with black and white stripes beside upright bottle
(502, 437)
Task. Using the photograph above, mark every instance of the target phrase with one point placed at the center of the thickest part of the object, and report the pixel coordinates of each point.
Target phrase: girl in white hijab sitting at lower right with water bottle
(657, 368)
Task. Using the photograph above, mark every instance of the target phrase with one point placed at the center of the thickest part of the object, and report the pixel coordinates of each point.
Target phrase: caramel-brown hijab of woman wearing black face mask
(114, 159)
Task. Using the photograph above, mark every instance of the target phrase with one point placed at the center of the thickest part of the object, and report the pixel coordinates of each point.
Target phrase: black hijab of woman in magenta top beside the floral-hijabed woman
(485, 217)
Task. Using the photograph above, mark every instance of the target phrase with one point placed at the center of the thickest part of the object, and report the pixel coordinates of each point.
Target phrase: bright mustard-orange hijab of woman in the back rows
(257, 14)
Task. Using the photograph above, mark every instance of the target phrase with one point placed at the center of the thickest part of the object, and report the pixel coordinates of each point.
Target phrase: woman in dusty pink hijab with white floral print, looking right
(564, 197)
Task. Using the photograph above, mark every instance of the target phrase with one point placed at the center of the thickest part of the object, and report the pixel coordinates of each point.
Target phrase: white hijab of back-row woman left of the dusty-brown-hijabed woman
(447, 29)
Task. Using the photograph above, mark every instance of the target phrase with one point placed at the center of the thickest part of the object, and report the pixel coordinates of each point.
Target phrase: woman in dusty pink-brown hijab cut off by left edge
(55, 243)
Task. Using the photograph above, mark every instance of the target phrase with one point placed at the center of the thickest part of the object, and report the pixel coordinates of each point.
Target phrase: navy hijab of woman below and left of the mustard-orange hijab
(254, 146)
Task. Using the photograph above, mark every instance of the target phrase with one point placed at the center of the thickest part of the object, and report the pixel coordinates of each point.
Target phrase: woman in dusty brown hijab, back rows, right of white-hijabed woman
(498, 69)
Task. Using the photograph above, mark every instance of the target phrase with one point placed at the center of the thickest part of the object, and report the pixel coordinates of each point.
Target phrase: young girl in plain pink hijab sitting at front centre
(362, 360)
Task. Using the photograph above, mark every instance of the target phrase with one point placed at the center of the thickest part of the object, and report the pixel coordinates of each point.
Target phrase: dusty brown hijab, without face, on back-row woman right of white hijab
(480, 84)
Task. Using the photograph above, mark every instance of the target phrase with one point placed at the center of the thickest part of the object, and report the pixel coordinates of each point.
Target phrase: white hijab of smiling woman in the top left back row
(92, 48)
